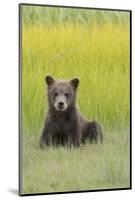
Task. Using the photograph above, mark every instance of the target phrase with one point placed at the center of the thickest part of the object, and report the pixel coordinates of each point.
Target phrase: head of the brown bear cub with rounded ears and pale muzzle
(61, 93)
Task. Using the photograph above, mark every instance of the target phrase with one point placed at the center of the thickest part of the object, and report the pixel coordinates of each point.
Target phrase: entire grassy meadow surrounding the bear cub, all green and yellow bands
(94, 47)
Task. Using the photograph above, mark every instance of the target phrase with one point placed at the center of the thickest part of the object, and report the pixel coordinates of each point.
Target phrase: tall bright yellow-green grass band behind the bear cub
(99, 55)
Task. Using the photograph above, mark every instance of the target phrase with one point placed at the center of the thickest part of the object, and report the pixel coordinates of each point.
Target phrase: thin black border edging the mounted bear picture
(20, 98)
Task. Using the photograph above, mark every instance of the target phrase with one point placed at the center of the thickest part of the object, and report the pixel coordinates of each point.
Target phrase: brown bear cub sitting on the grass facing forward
(64, 124)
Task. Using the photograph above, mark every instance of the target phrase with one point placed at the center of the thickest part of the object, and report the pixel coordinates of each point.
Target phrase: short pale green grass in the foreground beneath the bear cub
(89, 167)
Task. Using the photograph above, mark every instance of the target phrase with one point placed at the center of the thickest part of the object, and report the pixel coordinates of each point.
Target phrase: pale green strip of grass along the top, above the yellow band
(53, 15)
